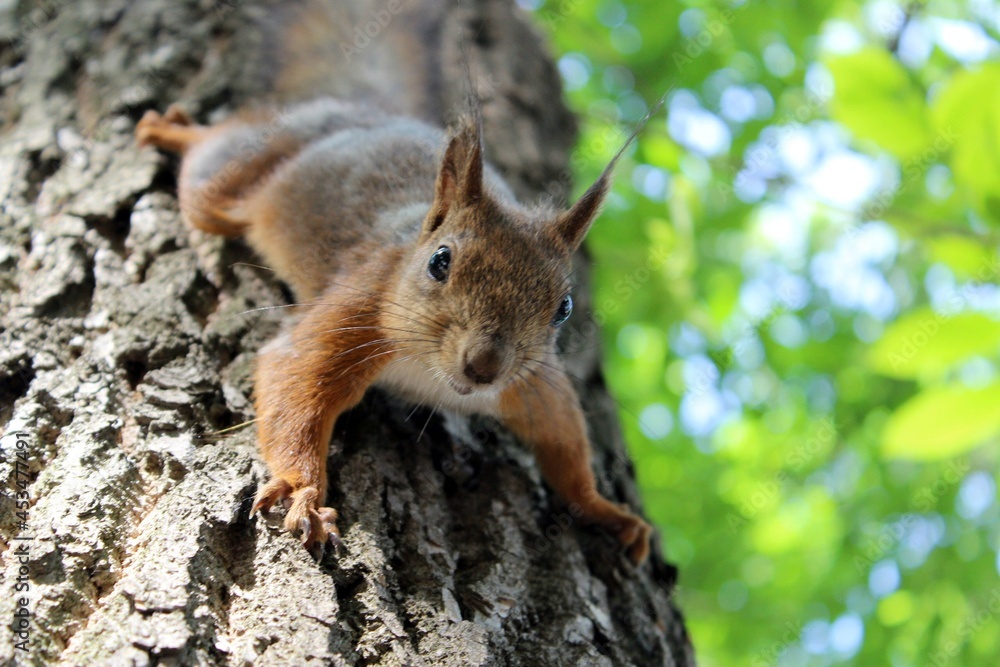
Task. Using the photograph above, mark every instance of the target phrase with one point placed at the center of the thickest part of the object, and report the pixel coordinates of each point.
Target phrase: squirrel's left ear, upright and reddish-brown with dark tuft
(460, 179)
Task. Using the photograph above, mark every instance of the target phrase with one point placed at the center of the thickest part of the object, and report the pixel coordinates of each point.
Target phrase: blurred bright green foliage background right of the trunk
(797, 277)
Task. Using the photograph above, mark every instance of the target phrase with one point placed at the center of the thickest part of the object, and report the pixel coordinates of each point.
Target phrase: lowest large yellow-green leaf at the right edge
(942, 422)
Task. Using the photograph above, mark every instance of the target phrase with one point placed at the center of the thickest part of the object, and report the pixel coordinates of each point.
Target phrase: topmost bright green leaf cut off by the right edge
(967, 114)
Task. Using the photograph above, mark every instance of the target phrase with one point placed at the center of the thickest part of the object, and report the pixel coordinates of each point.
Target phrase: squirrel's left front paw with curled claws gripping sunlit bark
(316, 525)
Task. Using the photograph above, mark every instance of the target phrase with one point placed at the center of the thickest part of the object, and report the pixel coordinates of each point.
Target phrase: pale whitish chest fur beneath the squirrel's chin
(415, 381)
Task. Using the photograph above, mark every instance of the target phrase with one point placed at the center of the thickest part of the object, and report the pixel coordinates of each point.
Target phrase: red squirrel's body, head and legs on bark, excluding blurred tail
(424, 276)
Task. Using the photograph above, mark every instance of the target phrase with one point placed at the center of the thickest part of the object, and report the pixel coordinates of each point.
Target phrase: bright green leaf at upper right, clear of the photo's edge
(877, 100)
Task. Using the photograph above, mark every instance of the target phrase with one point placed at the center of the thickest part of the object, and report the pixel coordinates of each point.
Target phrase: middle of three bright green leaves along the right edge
(925, 344)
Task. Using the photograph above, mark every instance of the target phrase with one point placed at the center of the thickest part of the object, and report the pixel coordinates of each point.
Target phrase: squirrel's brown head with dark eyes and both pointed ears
(488, 286)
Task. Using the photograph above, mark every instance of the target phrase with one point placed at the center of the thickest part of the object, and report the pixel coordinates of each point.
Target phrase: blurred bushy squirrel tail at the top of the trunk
(308, 49)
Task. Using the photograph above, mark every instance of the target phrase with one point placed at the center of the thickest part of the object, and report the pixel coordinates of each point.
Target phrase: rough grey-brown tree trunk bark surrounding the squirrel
(126, 345)
